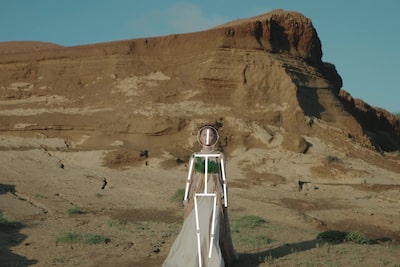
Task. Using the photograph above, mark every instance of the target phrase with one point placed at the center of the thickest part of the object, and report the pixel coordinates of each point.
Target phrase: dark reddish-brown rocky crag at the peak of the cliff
(276, 32)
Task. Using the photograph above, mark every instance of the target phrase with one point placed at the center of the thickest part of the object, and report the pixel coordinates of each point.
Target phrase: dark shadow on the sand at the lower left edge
(10, 236)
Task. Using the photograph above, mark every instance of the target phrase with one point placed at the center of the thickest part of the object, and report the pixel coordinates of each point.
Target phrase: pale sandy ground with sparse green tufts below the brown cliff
(41, 179)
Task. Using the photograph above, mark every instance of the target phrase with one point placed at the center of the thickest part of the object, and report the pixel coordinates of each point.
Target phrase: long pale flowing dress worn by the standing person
(184, 251)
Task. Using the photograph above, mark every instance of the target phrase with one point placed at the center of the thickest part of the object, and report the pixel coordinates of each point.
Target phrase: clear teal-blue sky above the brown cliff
(361, 37)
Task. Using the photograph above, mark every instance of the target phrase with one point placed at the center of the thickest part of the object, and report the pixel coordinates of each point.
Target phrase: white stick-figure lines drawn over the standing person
(206, 194)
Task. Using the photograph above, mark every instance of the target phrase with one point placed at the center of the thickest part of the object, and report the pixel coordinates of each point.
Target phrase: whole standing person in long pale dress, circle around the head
(205, 237)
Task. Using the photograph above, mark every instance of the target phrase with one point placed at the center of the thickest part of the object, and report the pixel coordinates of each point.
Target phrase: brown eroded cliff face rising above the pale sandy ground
(260, 75)
